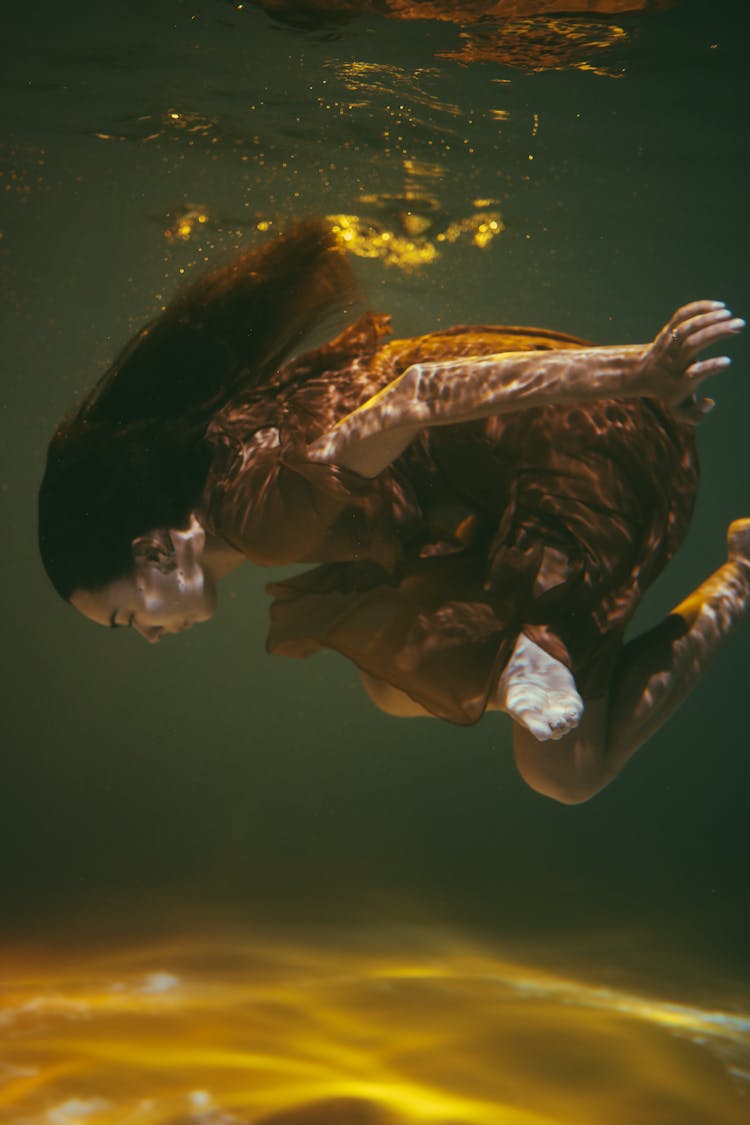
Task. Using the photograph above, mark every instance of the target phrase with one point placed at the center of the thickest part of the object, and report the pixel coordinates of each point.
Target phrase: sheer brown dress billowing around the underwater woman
(552, 521)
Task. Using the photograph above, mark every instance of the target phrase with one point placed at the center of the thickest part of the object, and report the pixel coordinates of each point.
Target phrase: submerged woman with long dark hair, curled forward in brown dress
(486, 506)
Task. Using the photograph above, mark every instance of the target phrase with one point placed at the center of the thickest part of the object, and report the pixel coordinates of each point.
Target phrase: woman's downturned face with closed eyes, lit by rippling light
(162, 596)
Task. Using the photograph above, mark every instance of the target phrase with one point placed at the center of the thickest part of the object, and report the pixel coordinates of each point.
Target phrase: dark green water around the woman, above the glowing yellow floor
(147, 789)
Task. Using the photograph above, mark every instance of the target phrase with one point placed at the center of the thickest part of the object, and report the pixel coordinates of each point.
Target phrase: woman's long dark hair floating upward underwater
(132, 457)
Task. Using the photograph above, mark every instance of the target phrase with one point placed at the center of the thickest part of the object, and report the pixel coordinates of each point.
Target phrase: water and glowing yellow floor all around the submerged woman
(414, 935)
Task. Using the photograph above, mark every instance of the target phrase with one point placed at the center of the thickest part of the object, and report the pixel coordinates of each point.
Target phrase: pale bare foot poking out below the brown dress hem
(539, 692)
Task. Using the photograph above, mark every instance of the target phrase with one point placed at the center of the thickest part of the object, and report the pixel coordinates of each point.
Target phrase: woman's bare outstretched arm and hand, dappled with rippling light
(371, 438)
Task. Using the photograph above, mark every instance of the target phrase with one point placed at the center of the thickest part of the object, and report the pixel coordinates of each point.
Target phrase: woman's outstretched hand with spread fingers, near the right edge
(671, 370)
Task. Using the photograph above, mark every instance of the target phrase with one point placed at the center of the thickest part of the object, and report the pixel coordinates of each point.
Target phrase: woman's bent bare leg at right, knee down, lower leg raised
(654, 676)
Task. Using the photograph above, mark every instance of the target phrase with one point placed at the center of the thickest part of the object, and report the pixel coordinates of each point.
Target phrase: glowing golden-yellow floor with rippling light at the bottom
(236, 1032)
